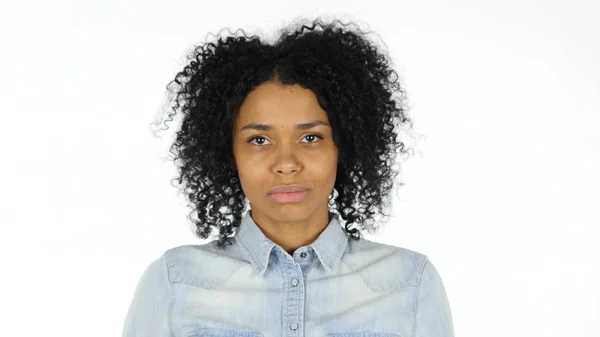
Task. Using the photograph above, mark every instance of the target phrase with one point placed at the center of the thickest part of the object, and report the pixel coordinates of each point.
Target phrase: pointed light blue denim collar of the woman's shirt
(329, 246)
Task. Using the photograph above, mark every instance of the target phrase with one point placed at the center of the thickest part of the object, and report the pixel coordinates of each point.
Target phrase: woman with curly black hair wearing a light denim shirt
(302, 132)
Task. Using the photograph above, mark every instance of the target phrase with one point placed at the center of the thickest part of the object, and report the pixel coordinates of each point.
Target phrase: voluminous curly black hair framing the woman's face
(354, 84)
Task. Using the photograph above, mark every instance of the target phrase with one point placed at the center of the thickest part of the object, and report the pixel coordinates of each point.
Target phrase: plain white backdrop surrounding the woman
(501, 194)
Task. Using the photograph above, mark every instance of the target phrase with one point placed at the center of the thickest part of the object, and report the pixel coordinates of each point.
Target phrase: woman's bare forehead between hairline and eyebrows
(273, 103)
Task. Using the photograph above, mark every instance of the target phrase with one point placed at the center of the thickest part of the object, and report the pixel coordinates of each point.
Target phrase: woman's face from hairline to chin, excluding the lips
(271, 150)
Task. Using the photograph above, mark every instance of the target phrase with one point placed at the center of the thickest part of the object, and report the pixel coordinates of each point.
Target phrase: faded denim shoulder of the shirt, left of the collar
(202, 265)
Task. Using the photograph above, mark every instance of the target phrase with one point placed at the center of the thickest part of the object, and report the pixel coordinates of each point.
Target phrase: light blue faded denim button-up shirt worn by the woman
(333, 287)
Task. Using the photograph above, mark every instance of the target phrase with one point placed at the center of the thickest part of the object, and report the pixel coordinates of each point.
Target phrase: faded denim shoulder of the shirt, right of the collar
(385, 267)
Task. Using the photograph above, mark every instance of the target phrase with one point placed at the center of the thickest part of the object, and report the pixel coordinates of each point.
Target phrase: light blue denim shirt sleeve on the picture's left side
(148, 314)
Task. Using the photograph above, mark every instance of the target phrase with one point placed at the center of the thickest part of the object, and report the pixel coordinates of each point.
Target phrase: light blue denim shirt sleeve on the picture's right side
(434, 317)
